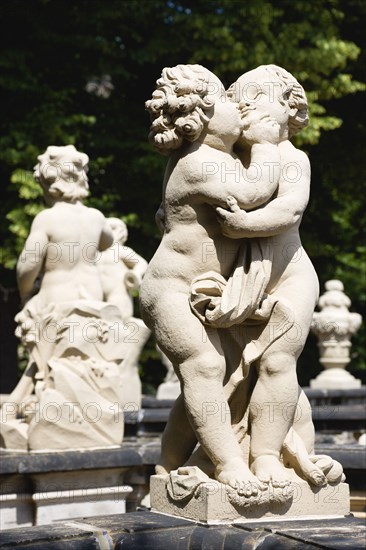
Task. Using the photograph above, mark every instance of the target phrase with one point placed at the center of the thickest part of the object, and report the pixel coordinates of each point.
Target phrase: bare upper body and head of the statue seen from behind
(65, 239)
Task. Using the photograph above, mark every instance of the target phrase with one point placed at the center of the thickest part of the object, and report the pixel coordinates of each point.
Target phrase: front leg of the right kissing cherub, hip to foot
(276, 394)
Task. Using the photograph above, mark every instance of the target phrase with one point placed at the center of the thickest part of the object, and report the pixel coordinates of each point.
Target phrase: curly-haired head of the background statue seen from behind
(61, 171)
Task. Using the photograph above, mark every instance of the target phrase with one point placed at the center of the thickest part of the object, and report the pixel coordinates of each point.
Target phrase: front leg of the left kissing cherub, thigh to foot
(201, 366)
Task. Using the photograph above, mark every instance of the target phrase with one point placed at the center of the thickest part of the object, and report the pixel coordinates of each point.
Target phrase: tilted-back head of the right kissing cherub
(274, 91)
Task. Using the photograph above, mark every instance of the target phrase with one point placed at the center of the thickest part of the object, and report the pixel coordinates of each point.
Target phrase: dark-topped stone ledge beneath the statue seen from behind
(39, 488)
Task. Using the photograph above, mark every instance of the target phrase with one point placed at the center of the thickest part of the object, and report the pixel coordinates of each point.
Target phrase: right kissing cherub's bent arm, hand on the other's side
(279, 215)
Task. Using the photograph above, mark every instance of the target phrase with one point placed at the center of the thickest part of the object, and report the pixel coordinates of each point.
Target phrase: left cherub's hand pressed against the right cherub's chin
(258, 127)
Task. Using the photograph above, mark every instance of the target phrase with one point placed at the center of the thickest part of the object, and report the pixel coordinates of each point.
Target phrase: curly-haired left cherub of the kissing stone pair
(194, 122)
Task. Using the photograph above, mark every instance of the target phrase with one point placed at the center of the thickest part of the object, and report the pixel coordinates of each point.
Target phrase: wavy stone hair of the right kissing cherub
(293, 92)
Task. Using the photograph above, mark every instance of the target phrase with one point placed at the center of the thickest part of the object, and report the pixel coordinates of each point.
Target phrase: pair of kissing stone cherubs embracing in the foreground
(224, 296)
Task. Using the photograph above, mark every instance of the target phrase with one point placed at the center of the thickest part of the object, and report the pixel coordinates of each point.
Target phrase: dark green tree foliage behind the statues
(52, 49)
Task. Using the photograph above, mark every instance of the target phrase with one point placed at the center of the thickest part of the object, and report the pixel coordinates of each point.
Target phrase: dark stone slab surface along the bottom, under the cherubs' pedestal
(149, 530)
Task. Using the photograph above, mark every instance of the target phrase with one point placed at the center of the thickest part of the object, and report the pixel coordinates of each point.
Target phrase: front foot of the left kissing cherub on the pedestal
(237, 475)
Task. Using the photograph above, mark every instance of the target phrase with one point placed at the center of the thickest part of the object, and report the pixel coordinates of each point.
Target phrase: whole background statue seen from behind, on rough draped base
(70, 393)
